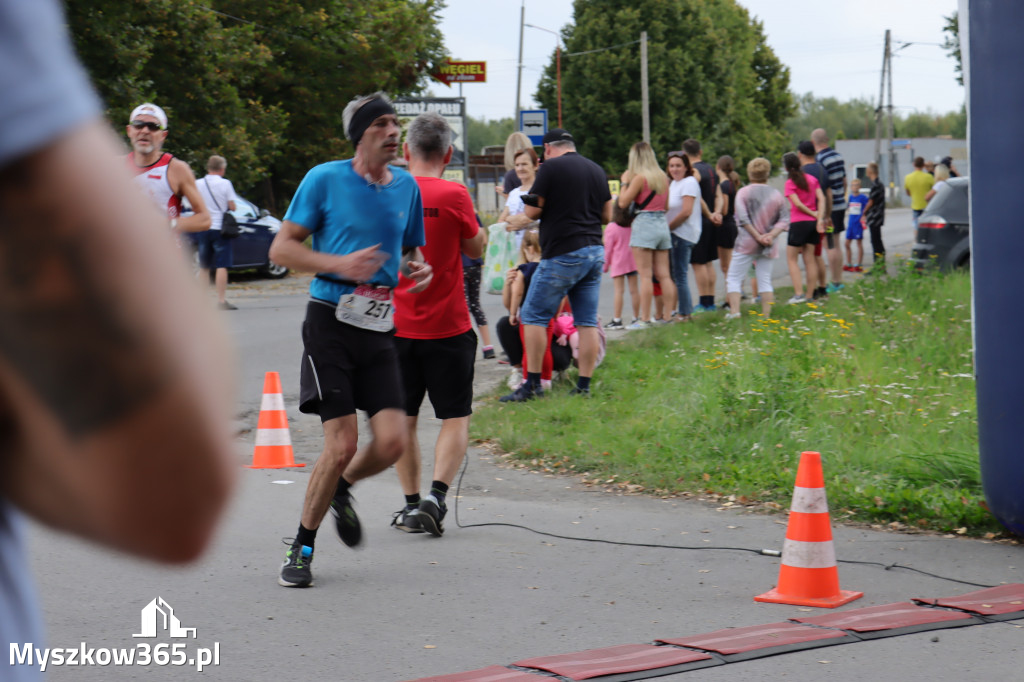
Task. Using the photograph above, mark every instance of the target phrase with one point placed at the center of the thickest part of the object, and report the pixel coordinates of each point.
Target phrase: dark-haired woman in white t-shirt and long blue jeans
(685, 222)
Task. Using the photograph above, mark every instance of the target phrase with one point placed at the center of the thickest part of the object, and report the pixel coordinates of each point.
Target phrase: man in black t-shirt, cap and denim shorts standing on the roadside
(574, 200)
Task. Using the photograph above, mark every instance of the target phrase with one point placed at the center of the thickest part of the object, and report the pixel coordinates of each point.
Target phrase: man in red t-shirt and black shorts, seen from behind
(434, 332)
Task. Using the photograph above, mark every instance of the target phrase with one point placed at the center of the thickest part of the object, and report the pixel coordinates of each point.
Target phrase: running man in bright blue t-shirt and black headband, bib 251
(362, 215)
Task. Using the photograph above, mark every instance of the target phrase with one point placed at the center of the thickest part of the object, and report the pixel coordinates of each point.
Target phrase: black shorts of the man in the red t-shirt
(441, 368)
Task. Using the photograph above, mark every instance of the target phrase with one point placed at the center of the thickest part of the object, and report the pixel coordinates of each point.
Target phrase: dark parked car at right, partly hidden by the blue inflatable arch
(945, 228)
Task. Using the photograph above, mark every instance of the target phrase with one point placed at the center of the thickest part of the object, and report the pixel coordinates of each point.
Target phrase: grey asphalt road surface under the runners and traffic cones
(409, 607)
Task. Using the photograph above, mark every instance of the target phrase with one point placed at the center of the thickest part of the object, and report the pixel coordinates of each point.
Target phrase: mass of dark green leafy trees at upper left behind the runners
(263, 83)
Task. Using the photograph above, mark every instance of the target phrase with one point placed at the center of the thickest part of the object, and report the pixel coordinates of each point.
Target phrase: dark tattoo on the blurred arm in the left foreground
(60, 329)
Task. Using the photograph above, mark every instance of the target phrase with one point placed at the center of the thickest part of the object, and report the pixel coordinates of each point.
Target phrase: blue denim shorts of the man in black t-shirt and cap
(577, 275)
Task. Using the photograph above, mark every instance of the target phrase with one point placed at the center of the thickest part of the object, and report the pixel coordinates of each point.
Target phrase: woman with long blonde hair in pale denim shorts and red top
(651, 240)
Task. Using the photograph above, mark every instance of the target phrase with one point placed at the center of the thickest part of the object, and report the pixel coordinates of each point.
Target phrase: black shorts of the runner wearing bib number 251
(346, 368)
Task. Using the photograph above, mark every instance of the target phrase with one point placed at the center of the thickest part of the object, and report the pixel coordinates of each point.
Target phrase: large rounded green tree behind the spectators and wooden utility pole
(712, 77)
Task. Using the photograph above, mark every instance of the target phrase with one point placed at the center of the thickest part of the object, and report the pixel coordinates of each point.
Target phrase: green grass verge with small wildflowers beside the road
(879, 380)
